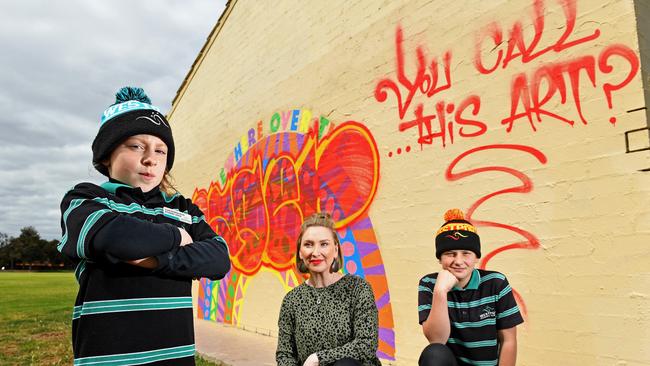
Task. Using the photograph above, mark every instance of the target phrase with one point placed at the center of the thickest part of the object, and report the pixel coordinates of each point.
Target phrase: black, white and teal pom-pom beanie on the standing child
(131, 114)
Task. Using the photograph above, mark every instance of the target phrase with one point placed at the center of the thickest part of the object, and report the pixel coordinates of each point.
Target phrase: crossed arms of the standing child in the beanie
(94, 230)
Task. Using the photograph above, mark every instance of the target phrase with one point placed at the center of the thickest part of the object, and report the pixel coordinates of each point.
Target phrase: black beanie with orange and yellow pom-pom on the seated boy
(457, 234)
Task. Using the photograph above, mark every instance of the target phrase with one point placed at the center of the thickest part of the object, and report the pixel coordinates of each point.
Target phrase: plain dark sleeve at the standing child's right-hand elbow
(207, 256)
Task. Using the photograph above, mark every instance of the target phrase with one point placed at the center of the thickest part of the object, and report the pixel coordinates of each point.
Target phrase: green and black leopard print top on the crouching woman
(335, 322)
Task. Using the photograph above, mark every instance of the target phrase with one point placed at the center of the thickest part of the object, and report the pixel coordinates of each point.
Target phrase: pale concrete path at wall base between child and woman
(233, 346)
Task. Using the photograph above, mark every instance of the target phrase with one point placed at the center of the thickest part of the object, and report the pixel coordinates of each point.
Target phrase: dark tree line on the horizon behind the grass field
(30, 251)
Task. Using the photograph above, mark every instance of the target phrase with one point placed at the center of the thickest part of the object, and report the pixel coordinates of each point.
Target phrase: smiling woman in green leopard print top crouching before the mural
(331, 319)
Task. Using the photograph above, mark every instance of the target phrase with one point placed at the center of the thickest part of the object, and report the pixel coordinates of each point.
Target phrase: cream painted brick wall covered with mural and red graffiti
(535, 98)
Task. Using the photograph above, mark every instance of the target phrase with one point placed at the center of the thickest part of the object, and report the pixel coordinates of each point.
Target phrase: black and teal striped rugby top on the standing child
(123, 314)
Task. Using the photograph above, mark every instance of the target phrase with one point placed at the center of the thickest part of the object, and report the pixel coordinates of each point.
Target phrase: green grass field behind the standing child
(36, 317)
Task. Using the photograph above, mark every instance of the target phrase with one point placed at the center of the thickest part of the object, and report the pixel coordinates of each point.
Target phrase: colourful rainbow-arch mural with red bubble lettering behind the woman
(269, 184)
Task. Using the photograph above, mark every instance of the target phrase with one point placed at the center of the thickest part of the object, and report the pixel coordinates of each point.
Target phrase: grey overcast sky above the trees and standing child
(61, 63)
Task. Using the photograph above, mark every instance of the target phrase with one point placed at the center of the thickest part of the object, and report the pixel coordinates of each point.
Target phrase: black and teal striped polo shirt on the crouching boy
(476, 313)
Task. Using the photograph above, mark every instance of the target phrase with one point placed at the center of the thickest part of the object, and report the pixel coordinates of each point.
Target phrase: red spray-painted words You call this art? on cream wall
(534, 94)
